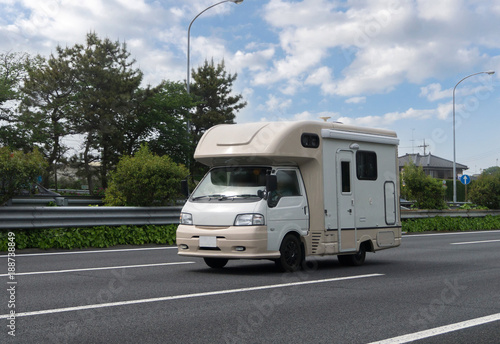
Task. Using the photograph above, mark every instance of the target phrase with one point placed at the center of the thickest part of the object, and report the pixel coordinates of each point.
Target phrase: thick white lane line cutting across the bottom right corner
(440, 330)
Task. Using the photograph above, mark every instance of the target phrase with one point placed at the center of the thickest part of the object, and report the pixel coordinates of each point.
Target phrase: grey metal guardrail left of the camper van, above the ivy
(57, 217)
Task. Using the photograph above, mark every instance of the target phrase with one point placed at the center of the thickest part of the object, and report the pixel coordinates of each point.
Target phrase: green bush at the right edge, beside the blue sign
(485, 191)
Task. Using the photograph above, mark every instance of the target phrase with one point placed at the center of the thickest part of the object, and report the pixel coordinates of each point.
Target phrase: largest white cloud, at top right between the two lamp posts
(393, 43)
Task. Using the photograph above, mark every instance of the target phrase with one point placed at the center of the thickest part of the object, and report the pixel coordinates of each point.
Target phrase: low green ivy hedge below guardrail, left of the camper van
(102, 236)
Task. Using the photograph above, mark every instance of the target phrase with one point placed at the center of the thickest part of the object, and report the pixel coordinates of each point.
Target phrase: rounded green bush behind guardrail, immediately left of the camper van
(145, 179)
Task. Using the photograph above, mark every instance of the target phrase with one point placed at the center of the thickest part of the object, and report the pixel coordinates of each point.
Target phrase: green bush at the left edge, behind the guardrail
(18, 171)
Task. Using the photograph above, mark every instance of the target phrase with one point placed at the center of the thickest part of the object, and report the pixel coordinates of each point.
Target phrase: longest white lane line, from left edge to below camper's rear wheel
(186, 296)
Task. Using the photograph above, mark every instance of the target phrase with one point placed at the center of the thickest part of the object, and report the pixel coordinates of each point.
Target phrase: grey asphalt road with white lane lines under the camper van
(436, 288)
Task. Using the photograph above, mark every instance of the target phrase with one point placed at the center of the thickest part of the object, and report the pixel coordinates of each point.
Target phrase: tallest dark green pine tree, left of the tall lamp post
(106, 83)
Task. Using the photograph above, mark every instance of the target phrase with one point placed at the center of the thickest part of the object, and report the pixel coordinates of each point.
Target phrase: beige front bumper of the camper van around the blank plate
(252, 238)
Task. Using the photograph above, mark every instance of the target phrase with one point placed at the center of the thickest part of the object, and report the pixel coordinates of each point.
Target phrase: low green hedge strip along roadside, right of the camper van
(451, 224)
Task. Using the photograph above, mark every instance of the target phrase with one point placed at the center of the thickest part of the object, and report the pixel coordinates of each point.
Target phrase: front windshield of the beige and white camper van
(232, 183)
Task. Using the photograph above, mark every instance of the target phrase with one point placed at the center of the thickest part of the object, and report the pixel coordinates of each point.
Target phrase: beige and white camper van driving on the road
(287, 190)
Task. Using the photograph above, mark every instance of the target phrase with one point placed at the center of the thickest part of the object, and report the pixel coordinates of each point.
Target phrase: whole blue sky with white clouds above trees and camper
(388, 64)
